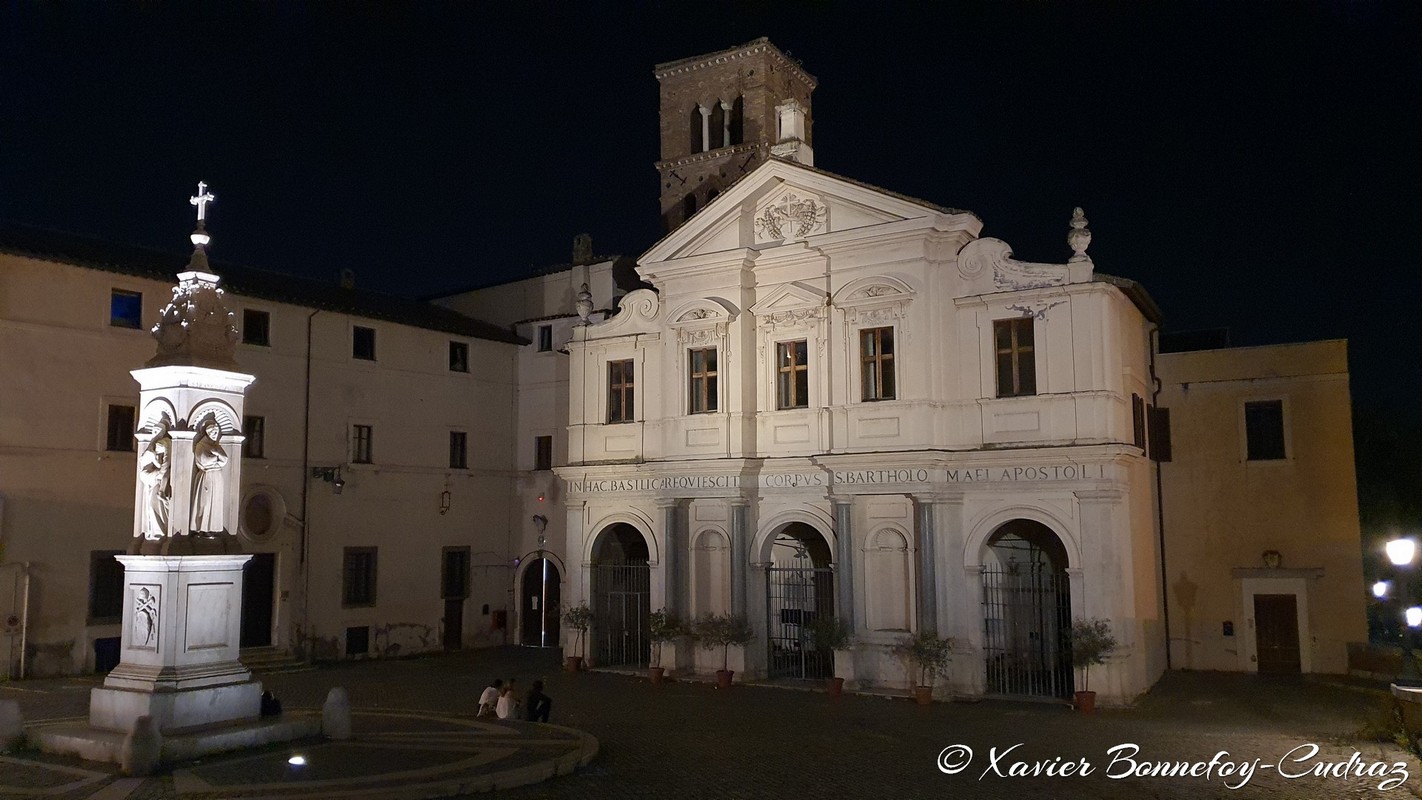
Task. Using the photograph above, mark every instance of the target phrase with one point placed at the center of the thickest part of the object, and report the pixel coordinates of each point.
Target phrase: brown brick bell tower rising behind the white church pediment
(725, 114)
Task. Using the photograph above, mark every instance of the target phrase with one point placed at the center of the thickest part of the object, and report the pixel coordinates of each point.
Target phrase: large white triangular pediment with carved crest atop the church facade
(781, 202)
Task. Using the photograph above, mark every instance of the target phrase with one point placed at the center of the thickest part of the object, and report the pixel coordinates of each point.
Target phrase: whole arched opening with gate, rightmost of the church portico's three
(1026, 613)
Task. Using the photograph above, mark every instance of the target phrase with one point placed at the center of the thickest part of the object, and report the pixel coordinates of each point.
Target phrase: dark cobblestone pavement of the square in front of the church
(690, 741)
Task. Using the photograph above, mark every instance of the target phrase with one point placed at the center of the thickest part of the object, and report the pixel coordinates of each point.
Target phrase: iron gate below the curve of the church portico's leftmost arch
(622, 606)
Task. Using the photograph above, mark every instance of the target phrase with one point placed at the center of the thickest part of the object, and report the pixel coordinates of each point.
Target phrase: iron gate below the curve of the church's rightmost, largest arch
(1027, 627)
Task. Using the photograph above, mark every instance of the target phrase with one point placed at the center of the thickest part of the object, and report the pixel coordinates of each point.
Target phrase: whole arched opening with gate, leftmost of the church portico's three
(622, 598)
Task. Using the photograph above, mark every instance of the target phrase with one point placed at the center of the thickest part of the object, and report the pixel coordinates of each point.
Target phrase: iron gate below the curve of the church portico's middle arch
(796, 599)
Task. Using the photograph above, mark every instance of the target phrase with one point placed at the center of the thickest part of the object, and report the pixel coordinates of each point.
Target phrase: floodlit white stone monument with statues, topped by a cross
(180, 677)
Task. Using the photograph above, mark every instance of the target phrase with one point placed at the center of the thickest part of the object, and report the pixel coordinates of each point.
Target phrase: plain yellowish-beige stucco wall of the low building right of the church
(1222, 512)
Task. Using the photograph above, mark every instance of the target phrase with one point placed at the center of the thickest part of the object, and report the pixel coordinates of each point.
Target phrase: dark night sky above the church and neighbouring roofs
(1255, 166)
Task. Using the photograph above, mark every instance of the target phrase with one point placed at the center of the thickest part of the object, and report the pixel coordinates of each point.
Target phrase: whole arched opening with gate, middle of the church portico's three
(800, 588)
